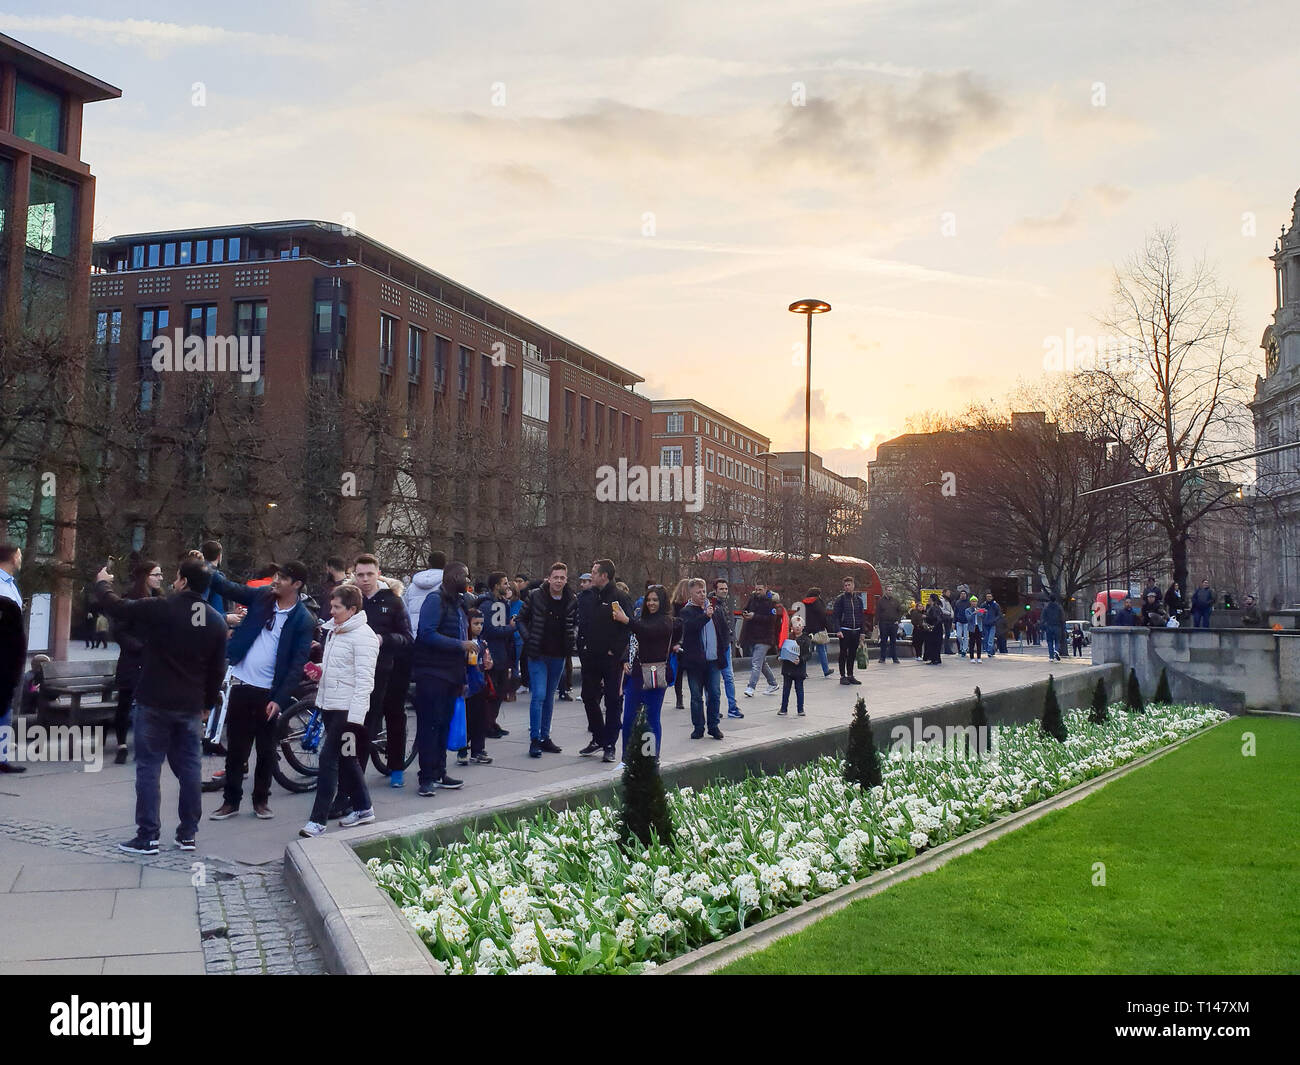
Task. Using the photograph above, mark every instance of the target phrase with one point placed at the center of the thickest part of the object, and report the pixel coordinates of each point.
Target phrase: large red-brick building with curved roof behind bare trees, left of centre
(402, 409)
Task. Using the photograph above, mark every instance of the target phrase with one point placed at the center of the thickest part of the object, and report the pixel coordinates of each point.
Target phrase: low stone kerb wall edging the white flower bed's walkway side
(361, 930)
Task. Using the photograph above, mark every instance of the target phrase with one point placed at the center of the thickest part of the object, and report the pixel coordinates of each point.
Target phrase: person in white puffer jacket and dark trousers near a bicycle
(344, 696)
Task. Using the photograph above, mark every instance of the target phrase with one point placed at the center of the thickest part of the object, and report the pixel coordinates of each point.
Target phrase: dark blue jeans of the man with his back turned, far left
(176, 737)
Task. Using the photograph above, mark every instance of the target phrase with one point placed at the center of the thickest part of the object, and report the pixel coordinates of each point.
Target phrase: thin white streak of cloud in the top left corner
(162, 36)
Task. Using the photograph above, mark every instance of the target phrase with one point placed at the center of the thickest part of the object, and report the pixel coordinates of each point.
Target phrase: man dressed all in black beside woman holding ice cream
(605, 647)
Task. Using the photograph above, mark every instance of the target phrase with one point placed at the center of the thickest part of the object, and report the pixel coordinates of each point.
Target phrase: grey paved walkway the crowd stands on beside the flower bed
(72, 903)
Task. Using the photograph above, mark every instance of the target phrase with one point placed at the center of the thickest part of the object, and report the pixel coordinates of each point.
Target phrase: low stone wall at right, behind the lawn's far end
(1234, 669)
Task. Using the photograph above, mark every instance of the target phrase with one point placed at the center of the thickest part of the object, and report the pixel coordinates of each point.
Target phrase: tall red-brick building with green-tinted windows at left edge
(47, 209)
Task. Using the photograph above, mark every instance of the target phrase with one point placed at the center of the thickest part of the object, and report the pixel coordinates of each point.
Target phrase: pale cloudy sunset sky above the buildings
(660, 181)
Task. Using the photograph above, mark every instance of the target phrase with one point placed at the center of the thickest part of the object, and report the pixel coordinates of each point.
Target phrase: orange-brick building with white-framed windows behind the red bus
(687, 434)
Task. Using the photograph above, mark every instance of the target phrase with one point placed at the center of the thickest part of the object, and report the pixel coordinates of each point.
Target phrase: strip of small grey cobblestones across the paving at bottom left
(248, 920)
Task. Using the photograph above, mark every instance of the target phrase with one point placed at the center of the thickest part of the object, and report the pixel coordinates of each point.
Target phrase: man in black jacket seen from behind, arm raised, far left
(184, 665)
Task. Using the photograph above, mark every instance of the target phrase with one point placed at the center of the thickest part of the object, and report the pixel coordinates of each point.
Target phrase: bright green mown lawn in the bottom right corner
(1202, 856)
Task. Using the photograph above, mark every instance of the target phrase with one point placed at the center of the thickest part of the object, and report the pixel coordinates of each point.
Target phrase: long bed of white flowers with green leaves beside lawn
(557, 895)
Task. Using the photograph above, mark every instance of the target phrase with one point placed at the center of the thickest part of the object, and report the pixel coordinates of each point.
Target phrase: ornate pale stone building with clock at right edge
(1277, 421)
